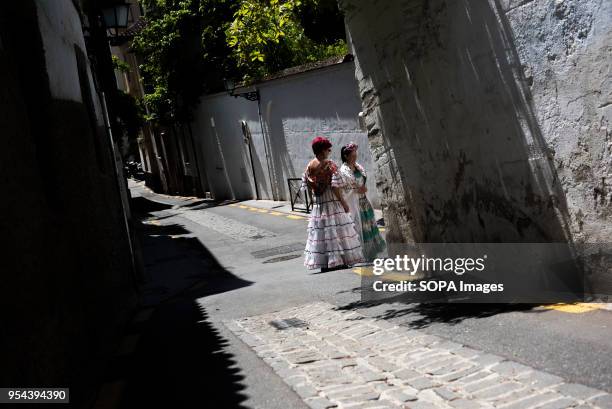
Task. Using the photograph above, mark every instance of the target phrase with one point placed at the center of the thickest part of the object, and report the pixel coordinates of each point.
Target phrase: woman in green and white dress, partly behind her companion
(354, 191)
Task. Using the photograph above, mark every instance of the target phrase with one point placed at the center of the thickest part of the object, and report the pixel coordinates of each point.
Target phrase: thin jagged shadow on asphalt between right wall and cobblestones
(422, 315)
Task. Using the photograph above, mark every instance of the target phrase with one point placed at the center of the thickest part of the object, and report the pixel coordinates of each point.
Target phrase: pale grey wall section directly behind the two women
(297, 108)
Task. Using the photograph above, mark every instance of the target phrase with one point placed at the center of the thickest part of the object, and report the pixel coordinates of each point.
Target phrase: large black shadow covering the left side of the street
(177, 358)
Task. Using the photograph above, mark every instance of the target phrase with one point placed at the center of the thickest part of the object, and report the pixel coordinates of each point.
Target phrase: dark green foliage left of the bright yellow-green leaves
(184, 53)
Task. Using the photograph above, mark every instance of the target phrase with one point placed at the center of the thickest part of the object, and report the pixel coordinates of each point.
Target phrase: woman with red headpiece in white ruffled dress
(332, 238)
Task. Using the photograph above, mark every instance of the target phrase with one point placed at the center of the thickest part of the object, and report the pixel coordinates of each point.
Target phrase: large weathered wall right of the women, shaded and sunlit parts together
(489, 120)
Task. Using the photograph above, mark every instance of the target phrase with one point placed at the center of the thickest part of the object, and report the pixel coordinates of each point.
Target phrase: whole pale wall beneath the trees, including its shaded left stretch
(294, 109)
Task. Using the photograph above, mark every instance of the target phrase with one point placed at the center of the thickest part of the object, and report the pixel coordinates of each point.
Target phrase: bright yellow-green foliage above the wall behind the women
(269, 35)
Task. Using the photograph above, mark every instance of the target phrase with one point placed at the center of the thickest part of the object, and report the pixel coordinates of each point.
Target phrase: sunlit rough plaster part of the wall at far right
(566, 52)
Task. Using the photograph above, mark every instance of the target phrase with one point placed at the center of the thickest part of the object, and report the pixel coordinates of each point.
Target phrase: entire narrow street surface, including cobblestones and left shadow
(211, 265)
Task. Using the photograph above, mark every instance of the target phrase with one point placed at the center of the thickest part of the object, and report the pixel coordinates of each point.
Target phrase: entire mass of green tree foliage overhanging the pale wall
(189, 46)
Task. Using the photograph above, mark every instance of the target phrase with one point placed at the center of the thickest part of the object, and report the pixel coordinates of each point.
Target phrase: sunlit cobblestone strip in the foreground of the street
(342, 359)
